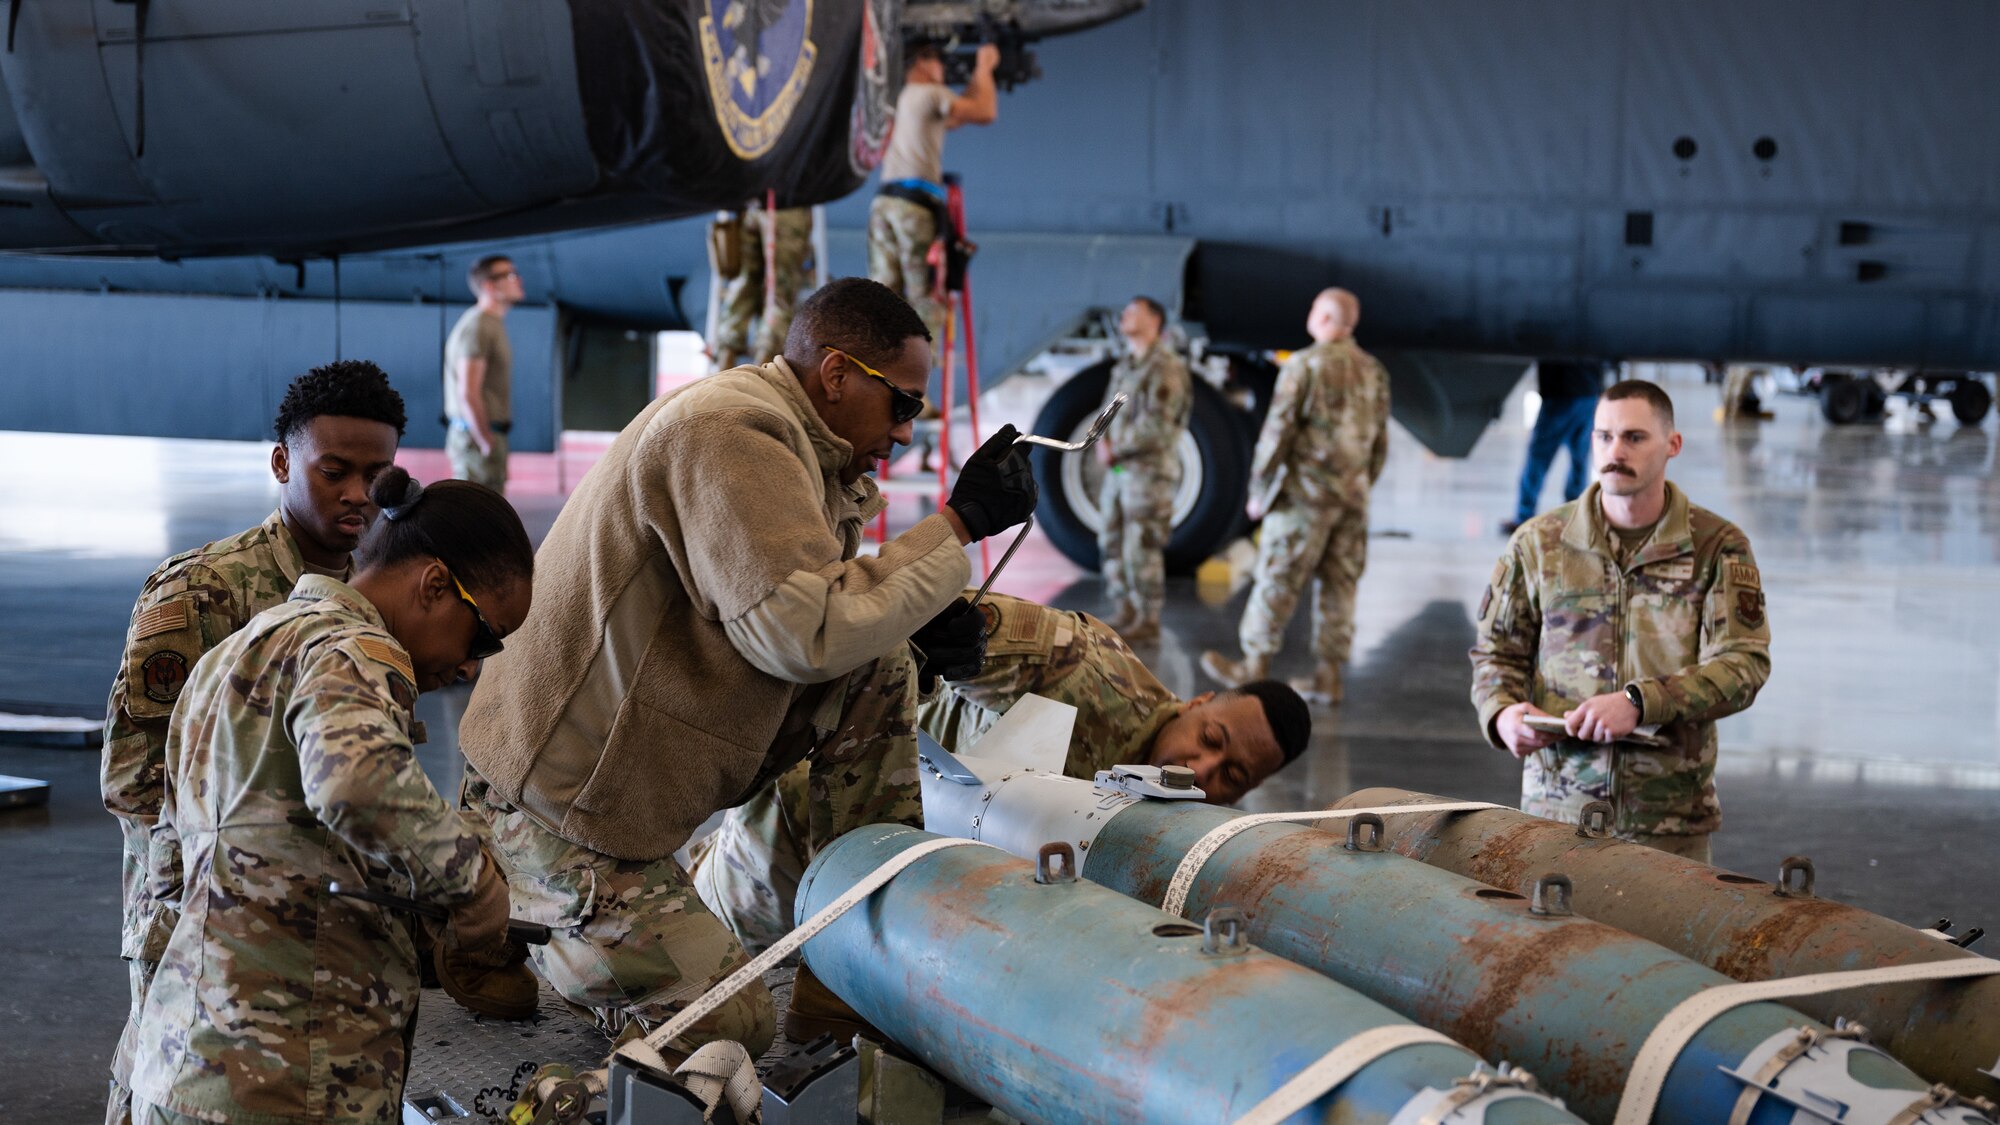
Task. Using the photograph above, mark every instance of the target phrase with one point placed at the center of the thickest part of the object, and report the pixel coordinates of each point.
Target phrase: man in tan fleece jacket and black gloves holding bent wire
(703, 624)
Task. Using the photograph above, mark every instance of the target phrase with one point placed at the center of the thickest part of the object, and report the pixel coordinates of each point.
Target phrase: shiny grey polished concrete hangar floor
(1875, 750)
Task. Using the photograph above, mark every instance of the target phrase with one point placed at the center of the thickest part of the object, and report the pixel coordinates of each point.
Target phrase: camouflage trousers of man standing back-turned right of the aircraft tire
(1301, 545)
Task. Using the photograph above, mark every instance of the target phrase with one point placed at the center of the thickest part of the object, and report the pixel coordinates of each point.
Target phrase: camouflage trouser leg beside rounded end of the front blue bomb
(865, 774)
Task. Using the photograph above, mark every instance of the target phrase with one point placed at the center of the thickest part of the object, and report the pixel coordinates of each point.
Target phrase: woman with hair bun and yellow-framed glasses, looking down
(291, 768)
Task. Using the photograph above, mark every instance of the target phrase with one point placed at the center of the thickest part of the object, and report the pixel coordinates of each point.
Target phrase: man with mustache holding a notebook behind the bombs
(1639, 620)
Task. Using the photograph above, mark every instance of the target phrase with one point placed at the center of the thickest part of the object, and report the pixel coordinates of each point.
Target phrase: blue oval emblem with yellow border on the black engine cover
(759, 59)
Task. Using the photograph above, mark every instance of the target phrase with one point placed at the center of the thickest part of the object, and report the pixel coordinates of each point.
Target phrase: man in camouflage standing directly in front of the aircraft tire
(1143, 469)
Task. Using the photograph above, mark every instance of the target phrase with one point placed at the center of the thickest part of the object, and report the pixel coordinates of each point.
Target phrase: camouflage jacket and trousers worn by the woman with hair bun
(293, 768)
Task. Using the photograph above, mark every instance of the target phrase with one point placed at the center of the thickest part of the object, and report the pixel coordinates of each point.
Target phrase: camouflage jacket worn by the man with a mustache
(1685, 622)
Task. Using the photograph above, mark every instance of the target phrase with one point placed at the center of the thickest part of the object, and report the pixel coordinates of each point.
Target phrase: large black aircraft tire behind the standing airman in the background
(1215, 475)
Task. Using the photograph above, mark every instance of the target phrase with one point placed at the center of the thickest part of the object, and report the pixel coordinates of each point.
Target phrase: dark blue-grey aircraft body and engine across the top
(1789, 181)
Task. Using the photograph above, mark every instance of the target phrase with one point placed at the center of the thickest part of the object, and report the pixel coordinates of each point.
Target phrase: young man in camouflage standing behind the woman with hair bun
(337, 427)
